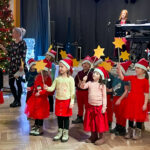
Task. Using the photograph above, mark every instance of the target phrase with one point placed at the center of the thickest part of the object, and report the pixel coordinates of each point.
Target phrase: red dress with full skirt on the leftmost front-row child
(37, 107)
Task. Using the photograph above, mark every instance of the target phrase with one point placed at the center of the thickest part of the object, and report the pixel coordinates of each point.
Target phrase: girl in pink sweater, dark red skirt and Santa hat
(95, 119)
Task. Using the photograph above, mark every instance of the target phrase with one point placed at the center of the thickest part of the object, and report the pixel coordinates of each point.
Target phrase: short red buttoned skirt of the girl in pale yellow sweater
(62, 108)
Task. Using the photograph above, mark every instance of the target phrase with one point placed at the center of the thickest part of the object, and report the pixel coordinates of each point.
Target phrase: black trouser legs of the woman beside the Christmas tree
(16, 92)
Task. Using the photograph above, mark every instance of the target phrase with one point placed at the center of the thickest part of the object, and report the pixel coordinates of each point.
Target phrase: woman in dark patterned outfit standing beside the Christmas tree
(17, 54)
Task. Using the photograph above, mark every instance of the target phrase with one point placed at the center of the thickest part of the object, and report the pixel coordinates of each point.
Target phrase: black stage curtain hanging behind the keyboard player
(92, 22)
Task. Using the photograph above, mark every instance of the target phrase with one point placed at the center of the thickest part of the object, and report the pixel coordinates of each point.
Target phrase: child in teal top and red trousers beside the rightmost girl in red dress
(120, 91)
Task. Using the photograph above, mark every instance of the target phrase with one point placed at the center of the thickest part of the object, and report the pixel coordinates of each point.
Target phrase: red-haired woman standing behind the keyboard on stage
(119, 32)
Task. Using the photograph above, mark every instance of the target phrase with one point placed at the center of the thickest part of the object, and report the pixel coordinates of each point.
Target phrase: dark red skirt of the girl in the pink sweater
(94, 120)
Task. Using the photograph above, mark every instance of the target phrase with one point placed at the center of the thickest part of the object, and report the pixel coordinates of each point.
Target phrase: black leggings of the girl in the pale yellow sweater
(63, 122)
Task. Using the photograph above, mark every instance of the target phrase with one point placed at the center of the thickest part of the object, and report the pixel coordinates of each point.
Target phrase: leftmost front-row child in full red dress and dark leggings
(37, 106)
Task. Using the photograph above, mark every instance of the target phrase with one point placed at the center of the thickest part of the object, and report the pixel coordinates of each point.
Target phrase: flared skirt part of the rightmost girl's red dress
(134, 105)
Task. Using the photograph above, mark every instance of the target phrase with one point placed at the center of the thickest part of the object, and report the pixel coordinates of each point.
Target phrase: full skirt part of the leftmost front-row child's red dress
(37, 107)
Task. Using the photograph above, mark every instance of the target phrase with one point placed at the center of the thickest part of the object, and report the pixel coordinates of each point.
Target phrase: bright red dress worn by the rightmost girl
(136, 98)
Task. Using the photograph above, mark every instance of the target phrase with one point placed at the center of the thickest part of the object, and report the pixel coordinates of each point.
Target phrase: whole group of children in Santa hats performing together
(99, 94)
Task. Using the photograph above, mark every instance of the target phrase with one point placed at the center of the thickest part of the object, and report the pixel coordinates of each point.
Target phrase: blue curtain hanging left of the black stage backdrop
(35, 19)
